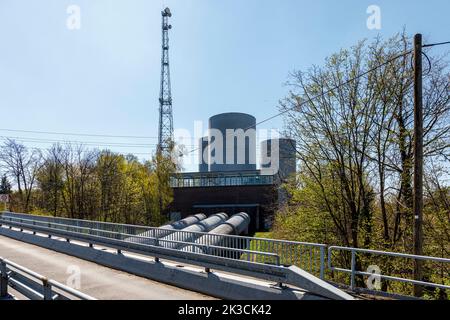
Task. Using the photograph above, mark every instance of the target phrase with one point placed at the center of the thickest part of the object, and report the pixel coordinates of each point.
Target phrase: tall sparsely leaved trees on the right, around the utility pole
(356, 154)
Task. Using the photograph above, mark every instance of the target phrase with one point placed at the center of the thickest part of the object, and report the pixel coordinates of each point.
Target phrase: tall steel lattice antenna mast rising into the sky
(165, 136)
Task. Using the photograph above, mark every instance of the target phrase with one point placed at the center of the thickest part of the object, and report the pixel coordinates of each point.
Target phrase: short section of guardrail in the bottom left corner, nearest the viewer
(33, 285)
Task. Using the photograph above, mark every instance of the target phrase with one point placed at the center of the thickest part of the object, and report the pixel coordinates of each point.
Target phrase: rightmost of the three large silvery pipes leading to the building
(236, 225)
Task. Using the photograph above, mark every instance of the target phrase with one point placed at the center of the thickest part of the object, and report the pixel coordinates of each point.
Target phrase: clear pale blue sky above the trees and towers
(225, 55)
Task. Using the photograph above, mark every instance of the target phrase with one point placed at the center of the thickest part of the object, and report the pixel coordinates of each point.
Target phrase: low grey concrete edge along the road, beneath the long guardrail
(211, 283)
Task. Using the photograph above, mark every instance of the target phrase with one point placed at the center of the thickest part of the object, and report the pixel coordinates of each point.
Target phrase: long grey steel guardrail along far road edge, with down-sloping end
(273, 272)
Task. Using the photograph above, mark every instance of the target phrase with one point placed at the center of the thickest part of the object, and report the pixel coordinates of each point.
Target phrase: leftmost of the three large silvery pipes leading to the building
(167, 229)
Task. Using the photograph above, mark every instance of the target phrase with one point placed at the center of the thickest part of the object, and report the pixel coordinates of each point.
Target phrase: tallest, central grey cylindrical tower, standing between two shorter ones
(232, 142)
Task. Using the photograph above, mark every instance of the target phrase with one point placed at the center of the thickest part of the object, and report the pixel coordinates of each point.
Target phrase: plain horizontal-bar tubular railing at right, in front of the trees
(354, 272)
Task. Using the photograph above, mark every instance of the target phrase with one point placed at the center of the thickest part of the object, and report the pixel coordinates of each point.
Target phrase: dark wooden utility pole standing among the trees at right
(418, 162)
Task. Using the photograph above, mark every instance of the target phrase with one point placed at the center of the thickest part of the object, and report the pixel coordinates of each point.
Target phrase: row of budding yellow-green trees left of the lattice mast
(71, 181)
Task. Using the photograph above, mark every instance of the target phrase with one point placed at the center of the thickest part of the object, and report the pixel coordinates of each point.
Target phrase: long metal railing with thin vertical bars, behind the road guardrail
(307, 256)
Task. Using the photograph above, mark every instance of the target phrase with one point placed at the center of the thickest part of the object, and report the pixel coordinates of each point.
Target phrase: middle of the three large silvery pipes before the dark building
(188, 234)
